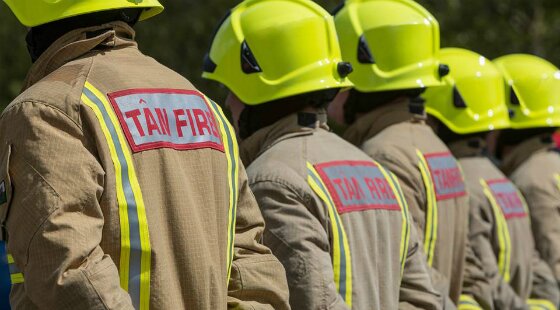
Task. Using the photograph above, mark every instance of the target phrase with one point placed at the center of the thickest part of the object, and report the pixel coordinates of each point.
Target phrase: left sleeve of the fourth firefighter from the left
(481, 225)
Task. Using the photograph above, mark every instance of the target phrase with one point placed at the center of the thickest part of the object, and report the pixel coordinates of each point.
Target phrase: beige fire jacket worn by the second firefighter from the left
(335, 219)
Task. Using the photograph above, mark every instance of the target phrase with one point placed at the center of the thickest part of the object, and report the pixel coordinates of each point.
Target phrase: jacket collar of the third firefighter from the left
(372, 123)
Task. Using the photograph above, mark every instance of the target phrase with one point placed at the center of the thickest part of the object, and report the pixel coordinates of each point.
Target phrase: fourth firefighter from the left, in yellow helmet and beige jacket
(463, 111)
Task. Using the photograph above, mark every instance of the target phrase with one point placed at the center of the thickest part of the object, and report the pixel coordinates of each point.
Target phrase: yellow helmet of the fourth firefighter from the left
(472, 97)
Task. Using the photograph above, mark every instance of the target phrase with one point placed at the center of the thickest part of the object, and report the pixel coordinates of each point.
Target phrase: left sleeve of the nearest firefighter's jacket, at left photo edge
(54, 221)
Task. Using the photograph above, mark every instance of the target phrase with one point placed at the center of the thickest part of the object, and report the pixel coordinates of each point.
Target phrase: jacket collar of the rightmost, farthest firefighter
(523, 151)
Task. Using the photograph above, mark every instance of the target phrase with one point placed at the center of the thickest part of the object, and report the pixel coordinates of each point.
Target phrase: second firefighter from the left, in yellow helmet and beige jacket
(336, 219)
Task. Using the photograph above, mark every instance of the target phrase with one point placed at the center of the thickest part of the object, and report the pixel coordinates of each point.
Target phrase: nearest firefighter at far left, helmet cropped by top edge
(122, 184)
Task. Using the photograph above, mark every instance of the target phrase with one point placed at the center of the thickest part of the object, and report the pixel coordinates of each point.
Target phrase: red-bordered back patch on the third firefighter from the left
(446, 175)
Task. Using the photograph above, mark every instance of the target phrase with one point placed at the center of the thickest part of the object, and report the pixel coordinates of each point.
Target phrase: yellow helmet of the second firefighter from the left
(271, 49)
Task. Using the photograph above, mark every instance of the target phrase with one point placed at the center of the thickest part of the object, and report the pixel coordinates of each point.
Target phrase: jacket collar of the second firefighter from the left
(286, 128)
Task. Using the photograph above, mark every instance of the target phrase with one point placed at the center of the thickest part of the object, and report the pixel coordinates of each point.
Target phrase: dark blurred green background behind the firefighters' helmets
(180, 36)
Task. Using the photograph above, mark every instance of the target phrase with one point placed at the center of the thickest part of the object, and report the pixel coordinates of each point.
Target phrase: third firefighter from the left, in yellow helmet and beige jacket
(393, 47)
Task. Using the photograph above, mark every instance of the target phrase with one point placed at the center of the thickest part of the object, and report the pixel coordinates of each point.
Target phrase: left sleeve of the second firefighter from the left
(300, 241)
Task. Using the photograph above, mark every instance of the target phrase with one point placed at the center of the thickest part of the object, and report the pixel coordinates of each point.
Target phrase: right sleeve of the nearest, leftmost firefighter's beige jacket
(258, 280)
